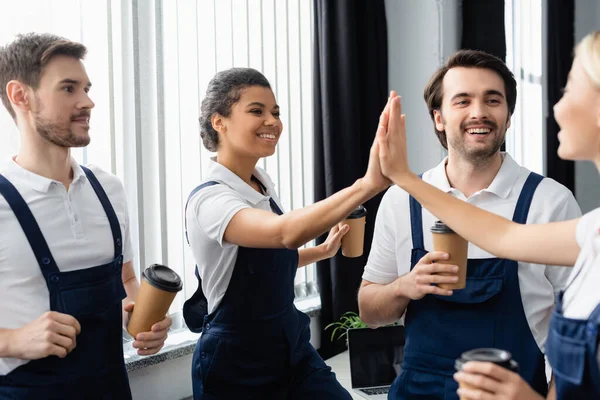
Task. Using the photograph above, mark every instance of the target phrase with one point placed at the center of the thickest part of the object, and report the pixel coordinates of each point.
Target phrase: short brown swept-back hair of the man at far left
(25, 58)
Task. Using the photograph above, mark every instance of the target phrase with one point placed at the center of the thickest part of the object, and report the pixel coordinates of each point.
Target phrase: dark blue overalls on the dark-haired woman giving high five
(255, 345)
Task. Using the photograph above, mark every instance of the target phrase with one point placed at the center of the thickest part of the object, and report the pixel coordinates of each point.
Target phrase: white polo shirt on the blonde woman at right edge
(582, 295)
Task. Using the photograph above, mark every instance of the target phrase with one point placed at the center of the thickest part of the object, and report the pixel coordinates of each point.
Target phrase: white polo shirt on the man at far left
(75, 227)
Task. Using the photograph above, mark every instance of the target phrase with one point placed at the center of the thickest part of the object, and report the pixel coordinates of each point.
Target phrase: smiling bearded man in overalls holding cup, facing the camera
(505, 304)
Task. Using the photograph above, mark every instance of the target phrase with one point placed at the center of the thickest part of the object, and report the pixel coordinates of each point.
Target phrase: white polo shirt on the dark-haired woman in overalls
(208, 214)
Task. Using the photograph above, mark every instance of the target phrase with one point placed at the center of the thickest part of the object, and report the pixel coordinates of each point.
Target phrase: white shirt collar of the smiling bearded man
(501, 186)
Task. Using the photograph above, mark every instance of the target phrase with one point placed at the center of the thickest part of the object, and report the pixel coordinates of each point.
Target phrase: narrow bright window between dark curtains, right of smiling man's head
(525, 138)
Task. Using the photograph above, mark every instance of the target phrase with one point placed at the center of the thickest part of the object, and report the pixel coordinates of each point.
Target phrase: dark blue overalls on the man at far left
(95, 369)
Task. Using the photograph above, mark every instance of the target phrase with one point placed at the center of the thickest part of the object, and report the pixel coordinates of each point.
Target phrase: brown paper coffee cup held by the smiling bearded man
(446, 240)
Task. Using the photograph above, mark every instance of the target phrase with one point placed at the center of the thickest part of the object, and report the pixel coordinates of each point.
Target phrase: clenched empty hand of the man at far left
(52, 334)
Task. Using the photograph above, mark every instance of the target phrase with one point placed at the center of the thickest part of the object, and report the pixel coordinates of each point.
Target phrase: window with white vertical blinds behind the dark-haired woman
(203, 37)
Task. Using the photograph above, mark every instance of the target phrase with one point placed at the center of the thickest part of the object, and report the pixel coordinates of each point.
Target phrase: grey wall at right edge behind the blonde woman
(587, 188)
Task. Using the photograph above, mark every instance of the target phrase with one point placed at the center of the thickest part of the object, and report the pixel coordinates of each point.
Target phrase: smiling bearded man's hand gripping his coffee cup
(418, 282)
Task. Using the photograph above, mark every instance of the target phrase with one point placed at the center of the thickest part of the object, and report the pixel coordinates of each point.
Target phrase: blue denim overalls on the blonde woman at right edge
(572, 347)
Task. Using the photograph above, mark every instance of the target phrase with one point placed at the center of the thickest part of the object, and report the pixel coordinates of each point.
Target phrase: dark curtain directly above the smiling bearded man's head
(483, 27)
